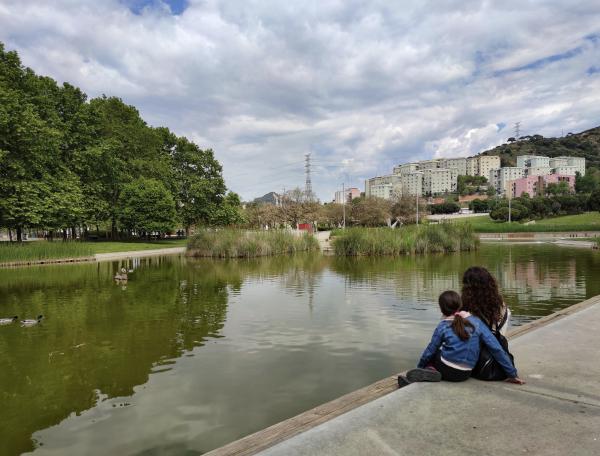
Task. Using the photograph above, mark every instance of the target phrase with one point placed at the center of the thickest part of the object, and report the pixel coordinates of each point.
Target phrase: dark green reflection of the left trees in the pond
(97, 337)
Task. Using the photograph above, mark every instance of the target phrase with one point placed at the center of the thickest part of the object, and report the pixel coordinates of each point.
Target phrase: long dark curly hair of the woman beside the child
(480, 295)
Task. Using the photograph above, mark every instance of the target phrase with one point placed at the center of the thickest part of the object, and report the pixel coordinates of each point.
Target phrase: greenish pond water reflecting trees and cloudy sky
(192, 354)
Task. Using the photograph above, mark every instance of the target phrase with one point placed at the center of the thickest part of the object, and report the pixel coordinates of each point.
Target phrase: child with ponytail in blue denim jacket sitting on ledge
(454, 347)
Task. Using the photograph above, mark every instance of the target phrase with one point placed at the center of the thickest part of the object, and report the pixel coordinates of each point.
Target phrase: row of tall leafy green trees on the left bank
(69, 163)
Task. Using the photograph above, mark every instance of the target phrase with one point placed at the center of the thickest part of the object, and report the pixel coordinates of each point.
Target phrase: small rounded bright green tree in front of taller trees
(146, 206)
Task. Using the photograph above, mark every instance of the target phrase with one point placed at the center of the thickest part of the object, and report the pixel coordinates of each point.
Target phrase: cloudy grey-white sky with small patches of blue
(361, 85)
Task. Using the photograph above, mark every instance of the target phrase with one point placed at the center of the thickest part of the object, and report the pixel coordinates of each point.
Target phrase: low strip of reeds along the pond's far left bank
(44, 250)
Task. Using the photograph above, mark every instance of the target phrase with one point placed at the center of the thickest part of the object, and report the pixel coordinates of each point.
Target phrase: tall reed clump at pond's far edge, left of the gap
(247, 244)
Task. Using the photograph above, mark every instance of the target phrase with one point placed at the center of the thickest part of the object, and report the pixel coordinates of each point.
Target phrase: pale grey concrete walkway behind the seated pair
(556, 413)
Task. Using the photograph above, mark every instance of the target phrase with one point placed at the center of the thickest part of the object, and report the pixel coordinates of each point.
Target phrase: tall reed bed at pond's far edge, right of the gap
(407, 240)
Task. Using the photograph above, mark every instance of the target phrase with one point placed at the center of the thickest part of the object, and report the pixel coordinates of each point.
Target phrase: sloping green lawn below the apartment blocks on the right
(590, 221)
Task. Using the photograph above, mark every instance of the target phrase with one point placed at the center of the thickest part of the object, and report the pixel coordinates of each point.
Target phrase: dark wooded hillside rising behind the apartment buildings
(585, 144)
